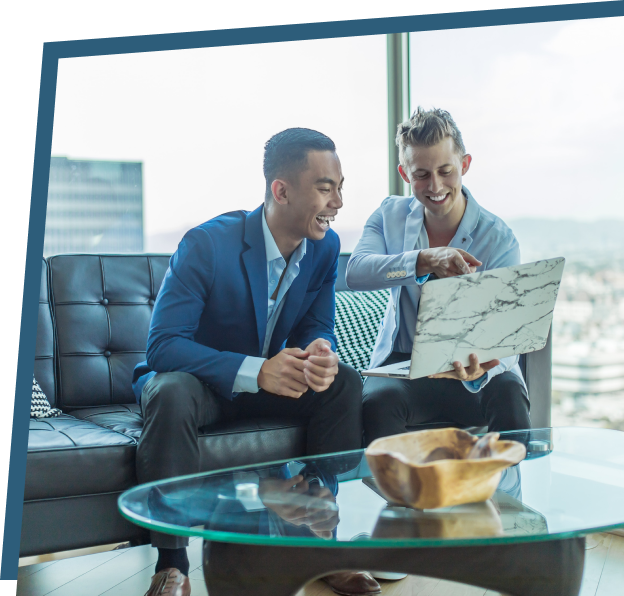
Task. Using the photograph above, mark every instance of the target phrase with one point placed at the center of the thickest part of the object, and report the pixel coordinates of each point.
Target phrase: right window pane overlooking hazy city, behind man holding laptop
(541, 110)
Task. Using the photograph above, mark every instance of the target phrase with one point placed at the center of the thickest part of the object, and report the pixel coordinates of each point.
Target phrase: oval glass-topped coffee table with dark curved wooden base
(269, 529)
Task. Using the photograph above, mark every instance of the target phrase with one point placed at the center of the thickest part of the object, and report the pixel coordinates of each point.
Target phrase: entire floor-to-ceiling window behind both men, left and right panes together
(148, 145)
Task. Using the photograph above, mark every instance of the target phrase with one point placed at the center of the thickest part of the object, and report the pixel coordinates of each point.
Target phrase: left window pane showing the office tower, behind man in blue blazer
(167, 140)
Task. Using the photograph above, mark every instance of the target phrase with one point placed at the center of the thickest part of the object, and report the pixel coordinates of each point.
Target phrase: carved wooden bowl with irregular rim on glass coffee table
(428, 469)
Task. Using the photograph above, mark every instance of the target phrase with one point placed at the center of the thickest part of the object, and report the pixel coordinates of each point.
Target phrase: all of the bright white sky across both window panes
(539, 106)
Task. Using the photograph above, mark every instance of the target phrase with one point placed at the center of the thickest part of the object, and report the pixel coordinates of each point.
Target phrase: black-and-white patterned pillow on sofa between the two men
(358, 315)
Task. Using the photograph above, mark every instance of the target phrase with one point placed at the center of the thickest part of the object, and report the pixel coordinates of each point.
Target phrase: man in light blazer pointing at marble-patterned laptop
(440, 230)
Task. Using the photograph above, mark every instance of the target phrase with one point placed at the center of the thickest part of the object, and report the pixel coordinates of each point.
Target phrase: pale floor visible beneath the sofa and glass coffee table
(127, 572)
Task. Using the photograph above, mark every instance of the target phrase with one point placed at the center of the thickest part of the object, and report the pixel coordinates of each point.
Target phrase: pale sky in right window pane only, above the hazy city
(541, 110)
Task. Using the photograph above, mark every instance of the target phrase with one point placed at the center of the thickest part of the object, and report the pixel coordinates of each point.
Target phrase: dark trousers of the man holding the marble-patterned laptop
(391, 405)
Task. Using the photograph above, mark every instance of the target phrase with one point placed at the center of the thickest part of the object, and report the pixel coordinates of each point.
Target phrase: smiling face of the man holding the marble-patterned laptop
(435, 175)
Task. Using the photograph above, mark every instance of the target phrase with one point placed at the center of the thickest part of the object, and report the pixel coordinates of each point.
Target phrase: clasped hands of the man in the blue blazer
(293, 371)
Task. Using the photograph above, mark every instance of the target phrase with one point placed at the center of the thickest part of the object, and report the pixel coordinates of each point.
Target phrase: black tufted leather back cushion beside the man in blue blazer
(102, 305)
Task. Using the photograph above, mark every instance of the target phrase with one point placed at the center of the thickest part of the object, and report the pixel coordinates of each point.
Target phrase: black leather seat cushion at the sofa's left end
(68, 457)
